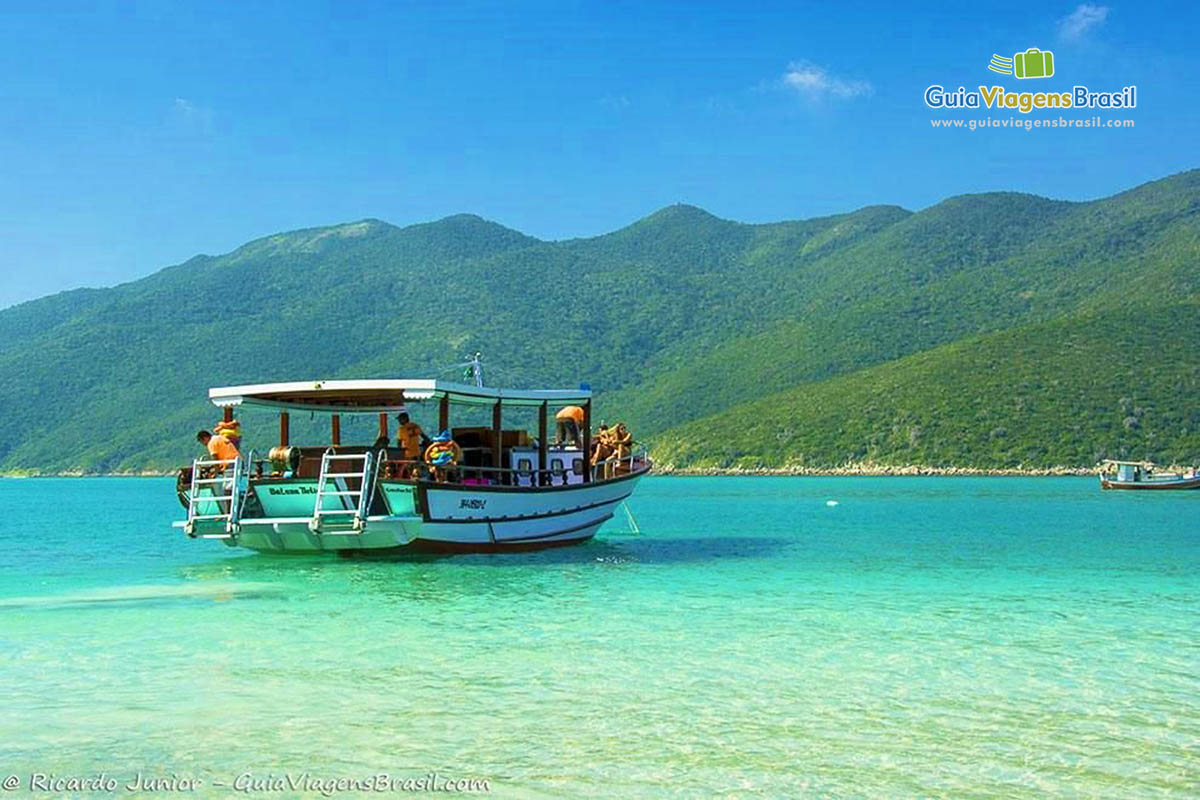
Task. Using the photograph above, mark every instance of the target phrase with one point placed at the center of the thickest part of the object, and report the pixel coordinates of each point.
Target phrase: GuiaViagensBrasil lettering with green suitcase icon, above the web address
(1028, 64)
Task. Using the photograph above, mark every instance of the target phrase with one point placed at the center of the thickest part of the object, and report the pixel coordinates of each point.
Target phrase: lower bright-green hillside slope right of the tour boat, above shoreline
(1066, 393)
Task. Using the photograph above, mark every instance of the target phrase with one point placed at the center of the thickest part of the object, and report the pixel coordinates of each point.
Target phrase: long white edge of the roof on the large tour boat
(416, 390)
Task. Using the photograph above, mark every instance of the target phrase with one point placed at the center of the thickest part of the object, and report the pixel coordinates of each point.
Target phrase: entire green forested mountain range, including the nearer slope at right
(988, 330)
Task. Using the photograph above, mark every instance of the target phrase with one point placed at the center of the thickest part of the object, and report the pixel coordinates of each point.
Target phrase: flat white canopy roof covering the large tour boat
(382, 395)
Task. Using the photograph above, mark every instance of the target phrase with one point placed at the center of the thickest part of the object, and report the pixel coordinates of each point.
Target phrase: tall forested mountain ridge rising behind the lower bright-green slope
(676, 318)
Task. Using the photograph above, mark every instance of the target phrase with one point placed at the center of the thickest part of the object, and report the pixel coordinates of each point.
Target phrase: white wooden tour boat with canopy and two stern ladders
(507, 492)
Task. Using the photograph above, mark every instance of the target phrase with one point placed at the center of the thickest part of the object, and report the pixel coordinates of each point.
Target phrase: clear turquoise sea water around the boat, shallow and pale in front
(947, 637)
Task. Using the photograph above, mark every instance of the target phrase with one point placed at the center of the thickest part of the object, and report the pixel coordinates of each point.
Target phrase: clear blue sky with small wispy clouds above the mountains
(134, 136)
